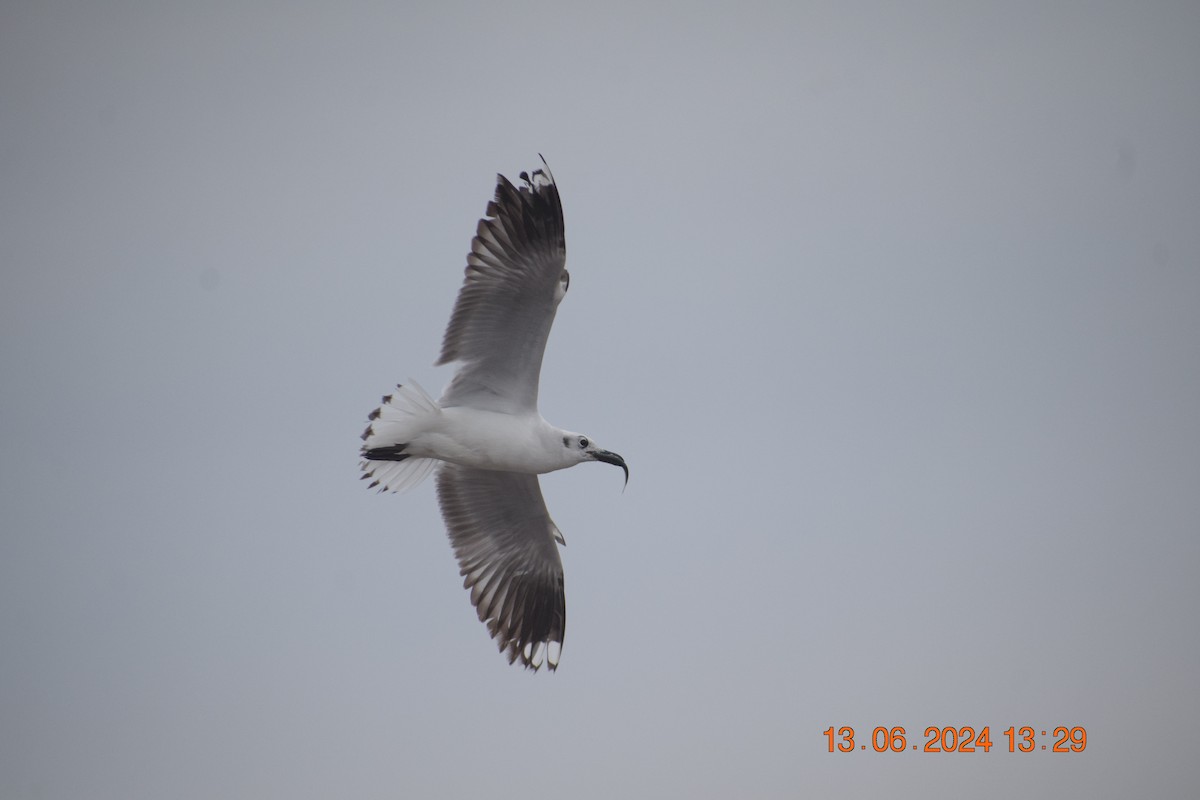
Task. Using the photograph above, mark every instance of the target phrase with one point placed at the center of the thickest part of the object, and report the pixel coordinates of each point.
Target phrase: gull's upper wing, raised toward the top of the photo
(515, 280)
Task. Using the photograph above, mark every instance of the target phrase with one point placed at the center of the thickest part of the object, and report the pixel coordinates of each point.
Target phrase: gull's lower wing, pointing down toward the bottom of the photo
(506, 543)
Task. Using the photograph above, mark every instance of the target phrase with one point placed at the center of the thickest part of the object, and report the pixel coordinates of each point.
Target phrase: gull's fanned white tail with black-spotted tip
(400, 417)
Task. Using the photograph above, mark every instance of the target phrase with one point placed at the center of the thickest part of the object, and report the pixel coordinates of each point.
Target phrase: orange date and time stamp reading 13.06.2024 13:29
(1024, 739)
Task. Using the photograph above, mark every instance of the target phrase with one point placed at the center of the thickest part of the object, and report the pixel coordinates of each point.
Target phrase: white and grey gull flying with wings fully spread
(485, 436)
